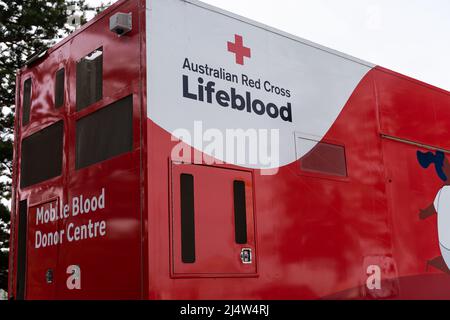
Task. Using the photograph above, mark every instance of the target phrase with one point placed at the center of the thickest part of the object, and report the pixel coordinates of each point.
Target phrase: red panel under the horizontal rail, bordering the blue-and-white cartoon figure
(411, 189)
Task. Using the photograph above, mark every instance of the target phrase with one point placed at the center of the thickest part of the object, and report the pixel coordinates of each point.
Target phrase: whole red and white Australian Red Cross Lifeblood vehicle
(126, 187)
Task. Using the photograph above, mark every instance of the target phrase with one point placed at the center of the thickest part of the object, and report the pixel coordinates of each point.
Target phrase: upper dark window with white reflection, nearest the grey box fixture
(89, 79)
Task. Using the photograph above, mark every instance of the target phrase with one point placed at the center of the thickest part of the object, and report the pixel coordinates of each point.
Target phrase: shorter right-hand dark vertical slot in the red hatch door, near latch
(240, 214)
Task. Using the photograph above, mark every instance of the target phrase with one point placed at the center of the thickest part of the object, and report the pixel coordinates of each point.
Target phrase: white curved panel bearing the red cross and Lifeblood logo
(278, 81)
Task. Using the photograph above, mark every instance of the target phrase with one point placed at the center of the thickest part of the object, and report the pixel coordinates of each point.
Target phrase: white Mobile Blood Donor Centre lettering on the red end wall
(78, 206)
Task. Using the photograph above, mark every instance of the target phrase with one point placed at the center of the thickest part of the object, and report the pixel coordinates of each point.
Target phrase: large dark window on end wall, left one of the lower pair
(42, 154)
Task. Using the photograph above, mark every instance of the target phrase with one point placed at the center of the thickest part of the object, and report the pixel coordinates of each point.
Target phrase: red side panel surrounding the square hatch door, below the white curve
(313, 230)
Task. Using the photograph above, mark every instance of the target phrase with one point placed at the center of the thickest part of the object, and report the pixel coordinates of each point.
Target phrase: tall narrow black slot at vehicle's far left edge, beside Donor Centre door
(22, 250)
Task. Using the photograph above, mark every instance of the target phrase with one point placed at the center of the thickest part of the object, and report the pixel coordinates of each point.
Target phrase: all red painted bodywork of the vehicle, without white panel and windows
(312, 235)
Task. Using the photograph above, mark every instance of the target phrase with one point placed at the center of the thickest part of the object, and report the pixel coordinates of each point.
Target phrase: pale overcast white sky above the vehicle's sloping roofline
(408, 36)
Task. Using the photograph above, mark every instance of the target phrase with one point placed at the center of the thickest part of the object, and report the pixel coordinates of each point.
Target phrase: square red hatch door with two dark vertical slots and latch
(216, 252)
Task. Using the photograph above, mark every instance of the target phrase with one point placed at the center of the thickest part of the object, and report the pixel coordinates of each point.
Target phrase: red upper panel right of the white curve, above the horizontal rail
(413, 110)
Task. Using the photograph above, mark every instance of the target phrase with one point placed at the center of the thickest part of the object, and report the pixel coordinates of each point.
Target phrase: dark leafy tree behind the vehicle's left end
(26, 27)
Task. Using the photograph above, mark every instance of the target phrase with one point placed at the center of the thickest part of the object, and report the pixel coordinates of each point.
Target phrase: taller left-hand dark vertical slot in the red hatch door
(187, 218)
